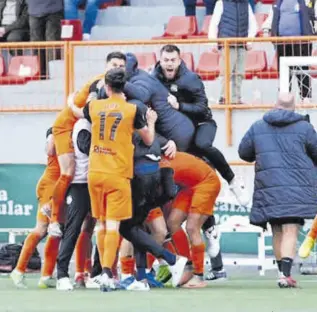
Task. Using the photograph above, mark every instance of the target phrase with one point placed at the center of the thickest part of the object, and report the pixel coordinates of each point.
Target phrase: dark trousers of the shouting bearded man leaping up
(204, 138)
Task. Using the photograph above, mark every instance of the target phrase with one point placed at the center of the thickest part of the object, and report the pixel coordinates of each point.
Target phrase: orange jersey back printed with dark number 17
(111, 149)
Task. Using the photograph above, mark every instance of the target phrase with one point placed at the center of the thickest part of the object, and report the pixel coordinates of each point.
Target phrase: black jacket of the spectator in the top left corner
(22, 17)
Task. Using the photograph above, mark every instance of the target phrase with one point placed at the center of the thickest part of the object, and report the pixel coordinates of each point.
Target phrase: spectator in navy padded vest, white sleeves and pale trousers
(233, 18)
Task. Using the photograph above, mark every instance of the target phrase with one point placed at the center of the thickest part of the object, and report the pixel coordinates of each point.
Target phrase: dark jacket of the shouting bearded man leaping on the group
(189, 90)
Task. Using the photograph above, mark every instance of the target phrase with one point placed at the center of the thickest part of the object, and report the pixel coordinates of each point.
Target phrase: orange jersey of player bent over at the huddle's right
(188, 169)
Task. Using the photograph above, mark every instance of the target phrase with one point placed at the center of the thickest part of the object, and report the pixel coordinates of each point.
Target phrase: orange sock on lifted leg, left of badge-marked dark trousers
(58, 197)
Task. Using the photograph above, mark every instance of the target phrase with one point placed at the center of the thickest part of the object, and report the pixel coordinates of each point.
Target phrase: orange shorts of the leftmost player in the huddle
(44, 192)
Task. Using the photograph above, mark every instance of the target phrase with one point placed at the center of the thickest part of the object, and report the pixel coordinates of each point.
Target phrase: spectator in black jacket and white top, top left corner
(14, 21)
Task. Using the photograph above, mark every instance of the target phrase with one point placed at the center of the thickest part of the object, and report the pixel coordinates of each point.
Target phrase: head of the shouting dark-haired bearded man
(170, 60)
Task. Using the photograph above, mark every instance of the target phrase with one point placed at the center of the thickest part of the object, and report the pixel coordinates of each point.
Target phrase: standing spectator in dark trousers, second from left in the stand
(45, 18)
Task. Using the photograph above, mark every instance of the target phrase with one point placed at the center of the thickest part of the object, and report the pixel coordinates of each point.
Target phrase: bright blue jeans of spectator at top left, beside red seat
(92, 6)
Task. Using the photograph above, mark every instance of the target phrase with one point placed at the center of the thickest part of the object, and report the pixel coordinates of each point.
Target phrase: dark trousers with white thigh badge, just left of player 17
(78, 206)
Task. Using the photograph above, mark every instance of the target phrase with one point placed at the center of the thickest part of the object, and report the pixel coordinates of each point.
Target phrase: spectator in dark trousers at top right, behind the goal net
(293, 18)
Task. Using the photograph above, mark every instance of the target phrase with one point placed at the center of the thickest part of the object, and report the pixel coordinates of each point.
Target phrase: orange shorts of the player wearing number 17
(110, 196)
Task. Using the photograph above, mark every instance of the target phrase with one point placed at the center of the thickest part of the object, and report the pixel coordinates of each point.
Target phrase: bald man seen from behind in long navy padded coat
(284, 147)
